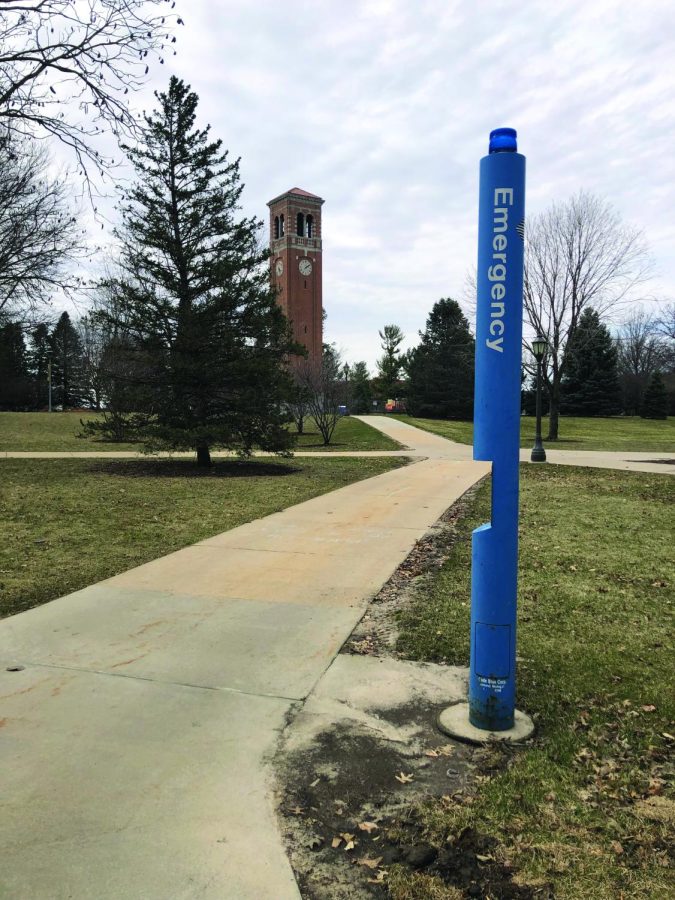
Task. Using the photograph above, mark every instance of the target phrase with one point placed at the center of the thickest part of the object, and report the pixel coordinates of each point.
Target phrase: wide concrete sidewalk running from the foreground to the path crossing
(137, 725)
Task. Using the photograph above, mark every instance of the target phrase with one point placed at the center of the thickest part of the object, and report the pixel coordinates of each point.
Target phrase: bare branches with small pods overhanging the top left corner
(68, 66)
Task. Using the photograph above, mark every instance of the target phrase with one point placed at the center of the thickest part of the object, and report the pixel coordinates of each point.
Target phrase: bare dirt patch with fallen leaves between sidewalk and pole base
(347, 811)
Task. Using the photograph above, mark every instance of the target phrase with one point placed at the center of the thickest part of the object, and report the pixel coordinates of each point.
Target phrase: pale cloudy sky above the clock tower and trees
(383, 108)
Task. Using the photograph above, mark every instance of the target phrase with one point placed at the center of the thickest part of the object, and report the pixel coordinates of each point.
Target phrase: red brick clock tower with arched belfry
(295, 246)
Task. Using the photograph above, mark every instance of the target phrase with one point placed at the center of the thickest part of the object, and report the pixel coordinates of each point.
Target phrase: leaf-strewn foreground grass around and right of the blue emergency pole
(587, 808)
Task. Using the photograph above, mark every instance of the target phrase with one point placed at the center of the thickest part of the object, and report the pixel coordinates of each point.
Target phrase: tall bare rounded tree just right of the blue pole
(578, 254)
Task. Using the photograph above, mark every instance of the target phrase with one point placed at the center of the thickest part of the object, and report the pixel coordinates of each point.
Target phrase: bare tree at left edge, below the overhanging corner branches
(39, 233)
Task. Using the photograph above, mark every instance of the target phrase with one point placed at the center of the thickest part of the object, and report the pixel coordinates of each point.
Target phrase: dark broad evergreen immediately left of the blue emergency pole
(441, 368)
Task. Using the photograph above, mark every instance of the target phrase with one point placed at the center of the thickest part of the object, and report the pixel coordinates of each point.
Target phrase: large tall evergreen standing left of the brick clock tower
(195, 294)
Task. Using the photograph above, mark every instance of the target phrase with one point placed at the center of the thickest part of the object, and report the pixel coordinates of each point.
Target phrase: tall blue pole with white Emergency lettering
(494, 571)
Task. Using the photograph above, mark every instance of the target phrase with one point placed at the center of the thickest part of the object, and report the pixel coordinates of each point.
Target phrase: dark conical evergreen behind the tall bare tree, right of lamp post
(590, 386)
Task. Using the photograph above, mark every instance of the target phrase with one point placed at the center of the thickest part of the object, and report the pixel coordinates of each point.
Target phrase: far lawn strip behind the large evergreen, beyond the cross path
(59, 431)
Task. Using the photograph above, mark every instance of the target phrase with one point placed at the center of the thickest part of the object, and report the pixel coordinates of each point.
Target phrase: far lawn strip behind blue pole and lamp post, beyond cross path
(616, 433)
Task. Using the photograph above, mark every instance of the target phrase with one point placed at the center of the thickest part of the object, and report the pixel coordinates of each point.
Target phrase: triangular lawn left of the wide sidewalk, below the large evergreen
(67, 523)
